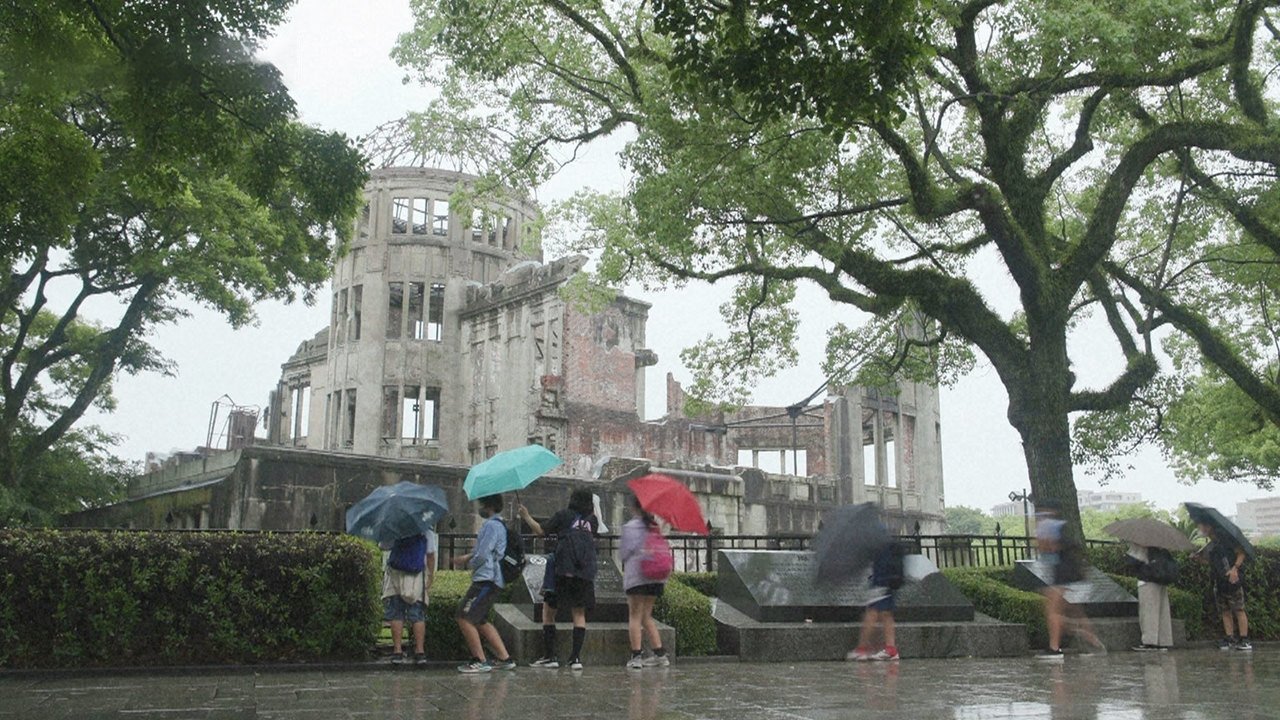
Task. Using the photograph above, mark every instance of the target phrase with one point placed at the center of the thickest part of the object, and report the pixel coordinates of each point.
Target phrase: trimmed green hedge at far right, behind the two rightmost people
(1261, 587)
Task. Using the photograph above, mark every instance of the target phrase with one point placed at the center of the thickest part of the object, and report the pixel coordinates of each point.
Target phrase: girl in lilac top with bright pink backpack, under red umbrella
(647, 563)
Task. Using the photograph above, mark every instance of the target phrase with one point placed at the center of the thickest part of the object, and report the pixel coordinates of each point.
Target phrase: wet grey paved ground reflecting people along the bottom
(1200, 685)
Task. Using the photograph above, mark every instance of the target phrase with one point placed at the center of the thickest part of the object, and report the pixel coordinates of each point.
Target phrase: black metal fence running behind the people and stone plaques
(697, 554)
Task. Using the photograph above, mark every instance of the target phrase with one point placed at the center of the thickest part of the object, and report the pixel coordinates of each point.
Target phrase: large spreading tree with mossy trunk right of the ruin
(1117, 161)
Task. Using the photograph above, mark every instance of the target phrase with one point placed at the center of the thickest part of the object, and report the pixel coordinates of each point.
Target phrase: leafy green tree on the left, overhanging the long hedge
(147, 158)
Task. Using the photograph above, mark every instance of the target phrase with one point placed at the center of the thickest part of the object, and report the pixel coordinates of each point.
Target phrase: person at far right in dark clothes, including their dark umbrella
(1226, 554)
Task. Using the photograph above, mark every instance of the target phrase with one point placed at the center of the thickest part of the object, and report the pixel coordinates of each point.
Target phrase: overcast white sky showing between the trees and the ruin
(335, 58)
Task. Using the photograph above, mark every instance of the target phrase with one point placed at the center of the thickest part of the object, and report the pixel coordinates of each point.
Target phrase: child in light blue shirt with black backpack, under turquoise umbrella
(487, 578)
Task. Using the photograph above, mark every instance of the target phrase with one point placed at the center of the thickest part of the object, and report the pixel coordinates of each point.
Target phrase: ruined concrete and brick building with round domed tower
(450, 340)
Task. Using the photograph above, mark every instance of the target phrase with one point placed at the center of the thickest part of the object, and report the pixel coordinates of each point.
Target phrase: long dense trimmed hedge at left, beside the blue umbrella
(74, 599)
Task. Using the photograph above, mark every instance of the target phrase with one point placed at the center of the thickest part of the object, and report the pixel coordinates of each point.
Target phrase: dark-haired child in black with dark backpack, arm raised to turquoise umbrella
(570, 577)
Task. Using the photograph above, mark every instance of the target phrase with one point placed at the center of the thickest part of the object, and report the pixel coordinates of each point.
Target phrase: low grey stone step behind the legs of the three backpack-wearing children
(607, 644)
